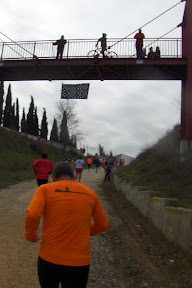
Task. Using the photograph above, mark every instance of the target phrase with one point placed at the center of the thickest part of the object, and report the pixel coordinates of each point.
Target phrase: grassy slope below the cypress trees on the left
(17, 154)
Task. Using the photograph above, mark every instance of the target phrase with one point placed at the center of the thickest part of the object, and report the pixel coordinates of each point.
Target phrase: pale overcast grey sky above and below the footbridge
(122, 116)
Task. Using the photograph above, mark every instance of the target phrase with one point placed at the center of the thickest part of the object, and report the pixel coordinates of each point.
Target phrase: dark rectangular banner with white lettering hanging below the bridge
(74, 91)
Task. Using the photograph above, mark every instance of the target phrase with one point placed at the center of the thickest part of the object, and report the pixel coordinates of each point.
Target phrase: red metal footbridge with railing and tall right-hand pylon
(36, 61)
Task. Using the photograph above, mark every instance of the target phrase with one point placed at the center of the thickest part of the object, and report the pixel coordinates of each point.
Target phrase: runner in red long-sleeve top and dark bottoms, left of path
(42, 168)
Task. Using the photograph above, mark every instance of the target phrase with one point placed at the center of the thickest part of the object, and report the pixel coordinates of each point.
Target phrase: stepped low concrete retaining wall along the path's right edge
(174, 222)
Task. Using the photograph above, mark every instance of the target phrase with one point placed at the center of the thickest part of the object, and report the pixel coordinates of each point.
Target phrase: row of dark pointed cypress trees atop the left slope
(29, 123)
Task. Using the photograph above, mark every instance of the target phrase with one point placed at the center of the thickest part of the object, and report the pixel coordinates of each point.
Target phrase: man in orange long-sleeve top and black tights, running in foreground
(68, 208)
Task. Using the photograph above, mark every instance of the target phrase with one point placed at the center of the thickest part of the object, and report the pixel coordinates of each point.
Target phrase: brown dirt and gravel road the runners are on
(132, 254)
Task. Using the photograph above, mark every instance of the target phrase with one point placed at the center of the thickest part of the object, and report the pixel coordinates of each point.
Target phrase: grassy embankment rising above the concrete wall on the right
(160, 168)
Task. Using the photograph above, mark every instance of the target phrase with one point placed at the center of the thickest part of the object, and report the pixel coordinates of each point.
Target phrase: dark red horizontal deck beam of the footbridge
(93, 69)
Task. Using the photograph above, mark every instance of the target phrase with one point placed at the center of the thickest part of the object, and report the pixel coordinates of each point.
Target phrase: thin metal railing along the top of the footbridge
(169, 47)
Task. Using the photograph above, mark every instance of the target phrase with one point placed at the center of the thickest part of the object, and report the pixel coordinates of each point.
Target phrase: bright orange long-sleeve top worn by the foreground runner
(68, 208)
